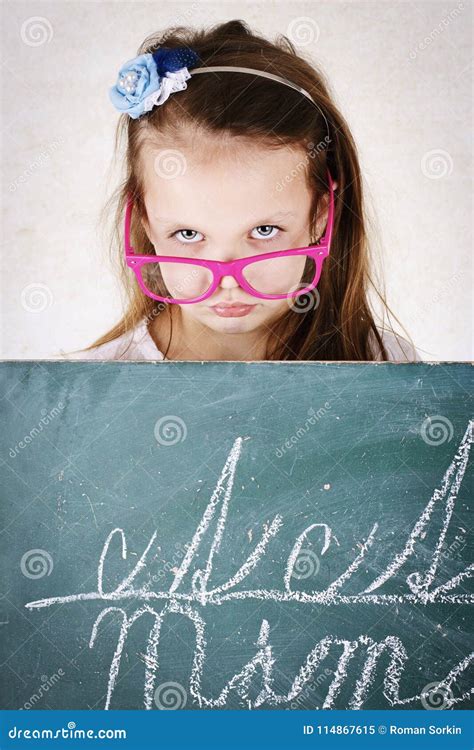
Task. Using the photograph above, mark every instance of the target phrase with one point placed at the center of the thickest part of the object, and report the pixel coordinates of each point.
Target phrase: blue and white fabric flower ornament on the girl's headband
(148, 80)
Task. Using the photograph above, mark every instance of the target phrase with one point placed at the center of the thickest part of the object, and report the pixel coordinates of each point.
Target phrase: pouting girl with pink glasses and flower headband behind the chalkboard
(231, 166)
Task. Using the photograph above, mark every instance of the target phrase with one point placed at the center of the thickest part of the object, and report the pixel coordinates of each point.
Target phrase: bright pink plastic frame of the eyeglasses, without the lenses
(219, 269)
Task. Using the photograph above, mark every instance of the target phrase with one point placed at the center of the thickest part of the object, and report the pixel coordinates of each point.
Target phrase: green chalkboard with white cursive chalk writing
(181, 535)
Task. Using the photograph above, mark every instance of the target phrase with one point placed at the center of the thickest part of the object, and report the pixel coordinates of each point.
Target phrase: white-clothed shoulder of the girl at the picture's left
(136, 344)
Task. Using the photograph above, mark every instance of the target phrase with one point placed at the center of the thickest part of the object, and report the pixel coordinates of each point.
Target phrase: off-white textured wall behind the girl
(400, 72)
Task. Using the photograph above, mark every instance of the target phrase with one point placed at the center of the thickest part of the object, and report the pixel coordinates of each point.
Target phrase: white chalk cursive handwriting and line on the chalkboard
(199, 596)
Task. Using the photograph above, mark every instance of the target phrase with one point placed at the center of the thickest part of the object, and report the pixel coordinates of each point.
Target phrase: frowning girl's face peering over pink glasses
(224, 202)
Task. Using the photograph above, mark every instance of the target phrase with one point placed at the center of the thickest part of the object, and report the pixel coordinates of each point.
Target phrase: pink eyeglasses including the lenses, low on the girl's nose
(276, 275)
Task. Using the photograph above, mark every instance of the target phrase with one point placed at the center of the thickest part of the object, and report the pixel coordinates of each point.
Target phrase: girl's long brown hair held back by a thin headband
(339, 323)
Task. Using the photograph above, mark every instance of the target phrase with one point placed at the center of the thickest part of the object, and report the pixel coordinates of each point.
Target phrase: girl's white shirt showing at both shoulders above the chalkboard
(137, 344)
